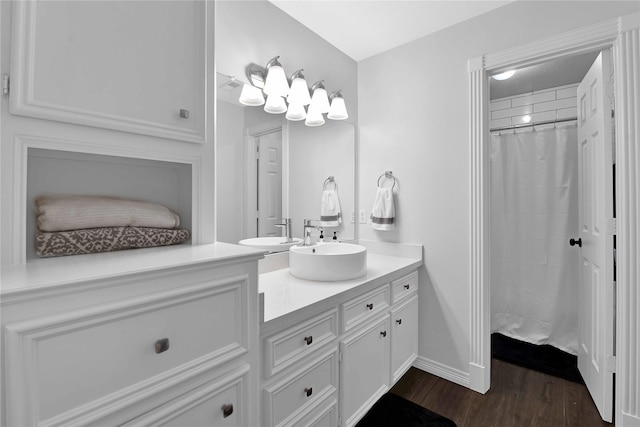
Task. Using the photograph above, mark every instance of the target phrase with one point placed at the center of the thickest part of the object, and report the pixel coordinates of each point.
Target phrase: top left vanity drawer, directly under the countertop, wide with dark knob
(294, 344)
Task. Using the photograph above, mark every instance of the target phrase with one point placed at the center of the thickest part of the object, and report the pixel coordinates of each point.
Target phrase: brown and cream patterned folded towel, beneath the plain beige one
(106, 239)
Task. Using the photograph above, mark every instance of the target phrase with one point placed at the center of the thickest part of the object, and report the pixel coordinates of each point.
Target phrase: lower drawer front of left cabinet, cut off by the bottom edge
(216, 403)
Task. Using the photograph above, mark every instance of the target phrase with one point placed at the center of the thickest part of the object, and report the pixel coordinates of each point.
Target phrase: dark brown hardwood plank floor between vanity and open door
(518, 397)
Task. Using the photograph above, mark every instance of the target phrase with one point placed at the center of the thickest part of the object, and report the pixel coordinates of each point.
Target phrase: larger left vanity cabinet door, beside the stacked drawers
(364, 372)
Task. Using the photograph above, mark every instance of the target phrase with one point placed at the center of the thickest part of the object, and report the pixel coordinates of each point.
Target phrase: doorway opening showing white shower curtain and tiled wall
(535, 210)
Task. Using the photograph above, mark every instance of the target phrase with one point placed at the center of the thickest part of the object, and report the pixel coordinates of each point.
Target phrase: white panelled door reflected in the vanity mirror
(269, 183)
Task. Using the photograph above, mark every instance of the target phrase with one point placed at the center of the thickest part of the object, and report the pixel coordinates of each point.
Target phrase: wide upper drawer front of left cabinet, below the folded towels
(110, 350)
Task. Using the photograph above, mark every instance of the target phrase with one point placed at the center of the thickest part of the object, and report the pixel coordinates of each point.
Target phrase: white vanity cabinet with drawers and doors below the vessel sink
(347, 352)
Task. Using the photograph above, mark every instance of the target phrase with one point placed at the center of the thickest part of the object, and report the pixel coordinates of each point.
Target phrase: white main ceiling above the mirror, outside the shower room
(363, 28)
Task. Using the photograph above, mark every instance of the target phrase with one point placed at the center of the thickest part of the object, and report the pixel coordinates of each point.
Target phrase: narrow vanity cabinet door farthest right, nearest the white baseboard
(404, 337)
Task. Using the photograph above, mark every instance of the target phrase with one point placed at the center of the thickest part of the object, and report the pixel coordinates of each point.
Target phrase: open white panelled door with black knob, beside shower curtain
(596, 289)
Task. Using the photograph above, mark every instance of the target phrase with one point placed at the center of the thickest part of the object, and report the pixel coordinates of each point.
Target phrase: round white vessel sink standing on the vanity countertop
(328, 262)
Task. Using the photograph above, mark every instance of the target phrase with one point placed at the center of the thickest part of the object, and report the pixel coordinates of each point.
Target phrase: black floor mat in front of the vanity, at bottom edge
(394, 411)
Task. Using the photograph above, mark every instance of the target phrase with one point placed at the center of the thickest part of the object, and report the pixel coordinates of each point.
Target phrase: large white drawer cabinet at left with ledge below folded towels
(160, 337)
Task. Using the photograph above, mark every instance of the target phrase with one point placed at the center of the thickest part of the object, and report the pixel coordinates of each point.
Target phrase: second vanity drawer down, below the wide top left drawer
(287, 400)
